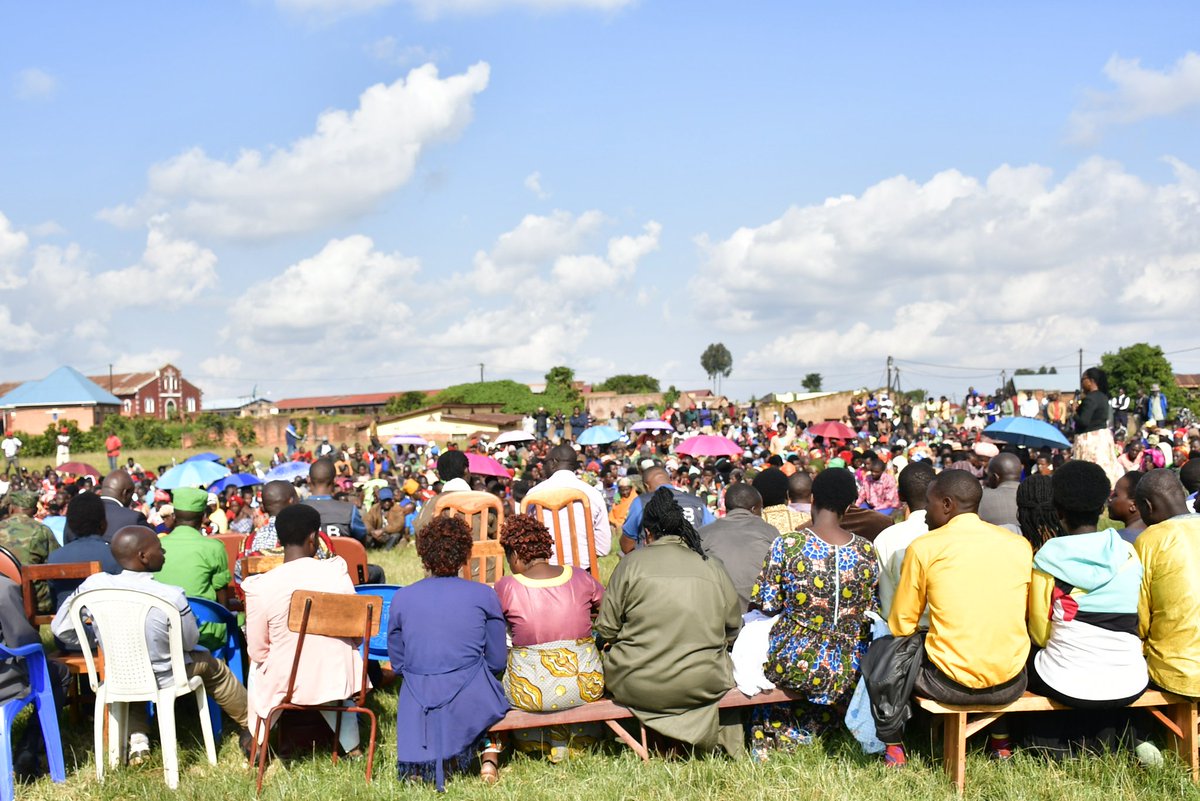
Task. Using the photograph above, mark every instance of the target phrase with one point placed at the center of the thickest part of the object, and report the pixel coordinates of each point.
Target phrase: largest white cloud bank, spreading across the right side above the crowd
(963, 272)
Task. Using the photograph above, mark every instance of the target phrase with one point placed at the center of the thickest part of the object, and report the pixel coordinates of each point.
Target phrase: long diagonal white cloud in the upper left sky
(341, 172)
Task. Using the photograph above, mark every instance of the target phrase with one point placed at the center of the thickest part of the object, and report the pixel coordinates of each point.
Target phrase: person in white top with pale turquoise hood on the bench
(1083, 619)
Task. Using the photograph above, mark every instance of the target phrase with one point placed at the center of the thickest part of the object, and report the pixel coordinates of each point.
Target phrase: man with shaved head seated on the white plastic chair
(140, 553)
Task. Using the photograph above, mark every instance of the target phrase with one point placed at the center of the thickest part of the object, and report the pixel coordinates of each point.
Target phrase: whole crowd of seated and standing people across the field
(914, 556)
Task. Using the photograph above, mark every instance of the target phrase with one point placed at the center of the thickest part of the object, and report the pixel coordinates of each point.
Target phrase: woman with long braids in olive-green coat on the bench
(665, 624)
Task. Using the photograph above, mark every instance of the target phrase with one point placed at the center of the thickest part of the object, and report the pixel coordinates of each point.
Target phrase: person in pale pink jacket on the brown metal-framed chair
(331, 668)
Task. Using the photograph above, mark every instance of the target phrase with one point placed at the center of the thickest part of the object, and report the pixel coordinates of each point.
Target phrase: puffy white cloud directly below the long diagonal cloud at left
(347, 293)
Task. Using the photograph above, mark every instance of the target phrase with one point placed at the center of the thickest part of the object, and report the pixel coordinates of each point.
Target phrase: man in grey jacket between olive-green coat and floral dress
(741, 540)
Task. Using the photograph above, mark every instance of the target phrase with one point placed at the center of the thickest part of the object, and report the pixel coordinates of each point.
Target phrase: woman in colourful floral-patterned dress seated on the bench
(821, 582)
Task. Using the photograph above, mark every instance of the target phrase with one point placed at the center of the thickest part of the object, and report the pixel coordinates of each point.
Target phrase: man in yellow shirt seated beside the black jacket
(975, 579)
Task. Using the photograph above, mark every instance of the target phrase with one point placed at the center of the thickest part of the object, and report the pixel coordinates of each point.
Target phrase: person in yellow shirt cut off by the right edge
(1169, 607)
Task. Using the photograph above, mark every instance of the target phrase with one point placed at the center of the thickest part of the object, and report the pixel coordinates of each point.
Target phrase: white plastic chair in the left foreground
(119, 618)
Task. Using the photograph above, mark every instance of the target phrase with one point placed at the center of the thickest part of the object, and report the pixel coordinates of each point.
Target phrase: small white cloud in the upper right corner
(1138, 94)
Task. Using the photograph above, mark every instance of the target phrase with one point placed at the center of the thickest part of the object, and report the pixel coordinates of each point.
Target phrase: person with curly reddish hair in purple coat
(446, 636)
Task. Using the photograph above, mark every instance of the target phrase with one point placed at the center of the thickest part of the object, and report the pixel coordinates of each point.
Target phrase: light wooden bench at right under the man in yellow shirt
(961, 722)
